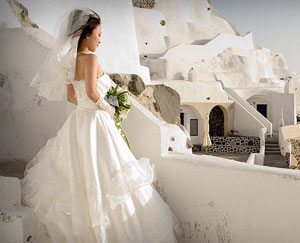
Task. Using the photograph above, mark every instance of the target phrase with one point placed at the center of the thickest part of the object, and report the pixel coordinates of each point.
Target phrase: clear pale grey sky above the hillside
(275, 24)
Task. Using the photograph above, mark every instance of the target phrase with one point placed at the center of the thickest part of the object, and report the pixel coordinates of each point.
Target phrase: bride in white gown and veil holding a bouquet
(85, 185)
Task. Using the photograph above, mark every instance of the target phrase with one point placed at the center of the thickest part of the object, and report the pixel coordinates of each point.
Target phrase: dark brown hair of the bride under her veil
(86, 29)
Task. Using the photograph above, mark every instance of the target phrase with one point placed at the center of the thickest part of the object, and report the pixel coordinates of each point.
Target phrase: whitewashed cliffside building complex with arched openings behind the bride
(173, 39)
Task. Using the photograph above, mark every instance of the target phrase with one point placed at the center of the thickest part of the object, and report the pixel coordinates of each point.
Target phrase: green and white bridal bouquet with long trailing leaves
(120, 100)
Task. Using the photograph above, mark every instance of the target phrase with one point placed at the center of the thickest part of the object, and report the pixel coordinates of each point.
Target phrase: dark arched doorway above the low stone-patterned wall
(216, 122)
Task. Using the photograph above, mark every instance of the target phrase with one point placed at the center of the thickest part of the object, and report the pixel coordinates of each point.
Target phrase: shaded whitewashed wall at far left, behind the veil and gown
(27, 120)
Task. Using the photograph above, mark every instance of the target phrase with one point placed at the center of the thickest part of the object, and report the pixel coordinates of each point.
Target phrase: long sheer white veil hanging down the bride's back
(59, 65)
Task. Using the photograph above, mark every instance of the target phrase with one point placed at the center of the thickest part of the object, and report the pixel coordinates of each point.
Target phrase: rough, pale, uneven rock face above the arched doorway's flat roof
(242, 68)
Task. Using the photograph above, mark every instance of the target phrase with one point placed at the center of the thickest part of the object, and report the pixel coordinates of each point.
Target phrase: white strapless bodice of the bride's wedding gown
(83, 101)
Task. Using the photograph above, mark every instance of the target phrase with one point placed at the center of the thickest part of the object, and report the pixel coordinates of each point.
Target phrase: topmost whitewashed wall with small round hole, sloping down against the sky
(186, 22)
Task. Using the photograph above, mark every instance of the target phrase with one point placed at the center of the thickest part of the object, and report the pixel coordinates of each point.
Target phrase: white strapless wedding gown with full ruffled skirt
(86, 186)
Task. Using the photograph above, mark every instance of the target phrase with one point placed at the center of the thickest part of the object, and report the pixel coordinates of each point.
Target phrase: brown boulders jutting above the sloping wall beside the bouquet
(161, 100)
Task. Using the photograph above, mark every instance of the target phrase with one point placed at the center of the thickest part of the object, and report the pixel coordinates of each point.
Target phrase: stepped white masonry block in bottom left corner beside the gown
(17, 222)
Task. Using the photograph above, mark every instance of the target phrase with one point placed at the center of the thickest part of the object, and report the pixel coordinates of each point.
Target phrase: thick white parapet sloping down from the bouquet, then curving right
(216, 199)
